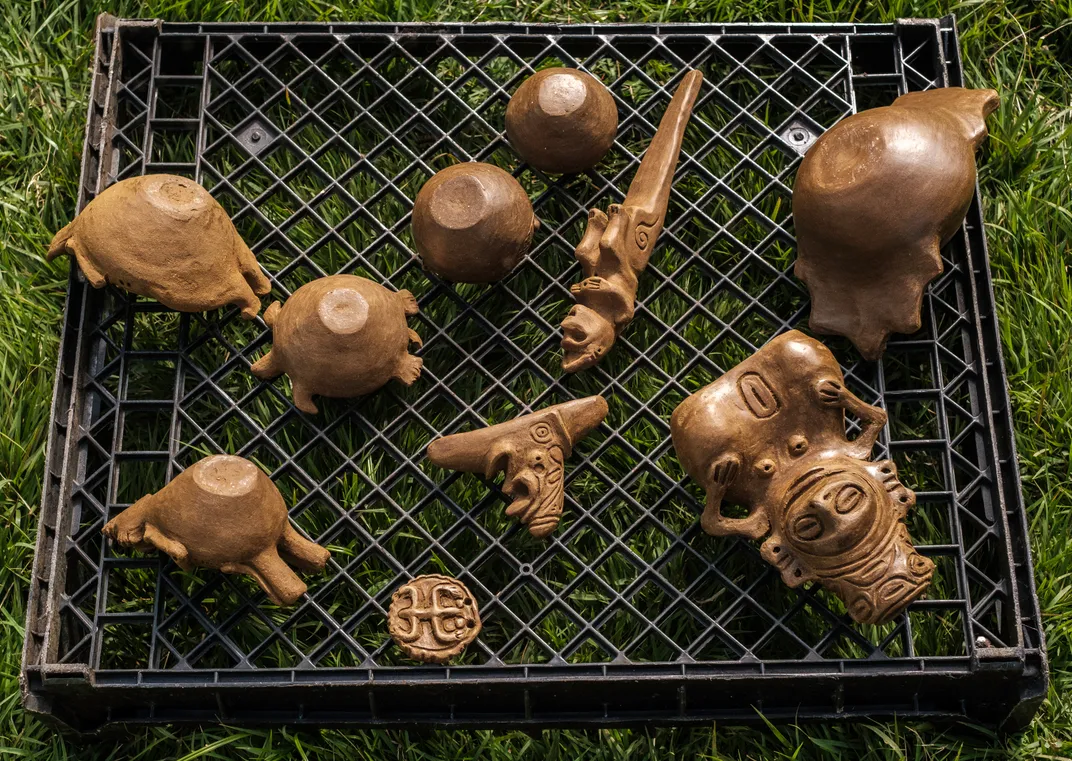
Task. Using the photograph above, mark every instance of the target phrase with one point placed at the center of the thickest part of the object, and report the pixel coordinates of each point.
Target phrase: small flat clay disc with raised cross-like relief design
(434, 618)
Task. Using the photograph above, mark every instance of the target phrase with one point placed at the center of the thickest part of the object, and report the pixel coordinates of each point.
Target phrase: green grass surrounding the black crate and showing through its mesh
(1021, 49)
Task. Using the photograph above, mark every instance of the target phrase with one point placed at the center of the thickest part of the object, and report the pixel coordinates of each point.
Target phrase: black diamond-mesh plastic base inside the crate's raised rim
(318, 144)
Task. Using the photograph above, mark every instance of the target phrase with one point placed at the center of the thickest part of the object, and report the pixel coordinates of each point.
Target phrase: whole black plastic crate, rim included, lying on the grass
(317, 139)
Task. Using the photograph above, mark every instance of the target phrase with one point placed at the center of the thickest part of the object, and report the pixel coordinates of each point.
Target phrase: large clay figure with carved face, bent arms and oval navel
(770, 436)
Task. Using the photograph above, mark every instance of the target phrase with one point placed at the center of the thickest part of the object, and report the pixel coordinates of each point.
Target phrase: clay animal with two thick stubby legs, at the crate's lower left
(224, 513)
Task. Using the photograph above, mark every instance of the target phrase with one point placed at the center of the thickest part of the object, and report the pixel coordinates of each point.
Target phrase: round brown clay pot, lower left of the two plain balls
(472, 223)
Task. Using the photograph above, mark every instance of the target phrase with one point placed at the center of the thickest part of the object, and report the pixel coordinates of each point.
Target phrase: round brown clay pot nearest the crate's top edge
(562, 121)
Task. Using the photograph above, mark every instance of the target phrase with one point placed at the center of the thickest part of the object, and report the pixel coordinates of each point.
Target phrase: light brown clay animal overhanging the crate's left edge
(165, 237)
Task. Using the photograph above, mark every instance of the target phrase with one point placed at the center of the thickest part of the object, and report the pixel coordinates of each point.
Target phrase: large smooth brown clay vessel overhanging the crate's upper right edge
(875, 200)
